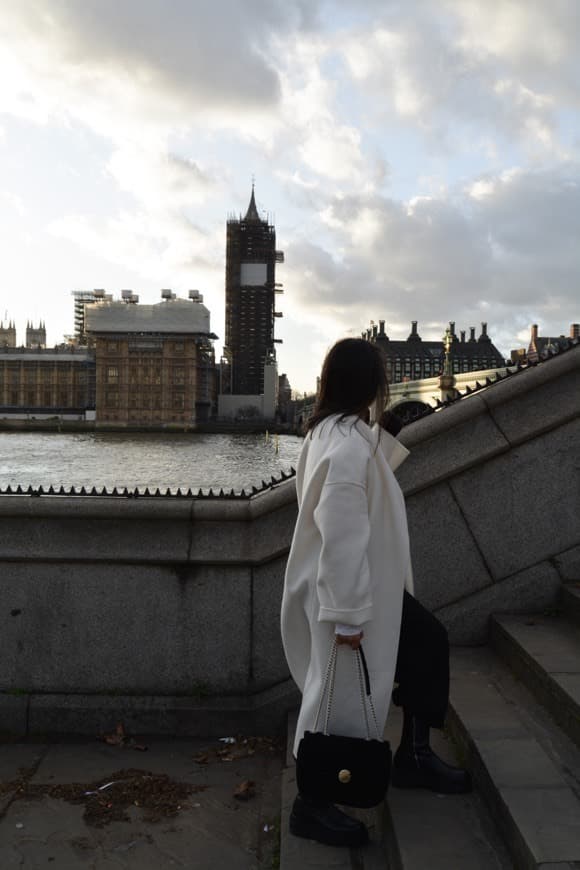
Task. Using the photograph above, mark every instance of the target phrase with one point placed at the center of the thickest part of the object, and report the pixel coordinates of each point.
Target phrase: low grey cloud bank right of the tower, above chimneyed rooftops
(503, 250)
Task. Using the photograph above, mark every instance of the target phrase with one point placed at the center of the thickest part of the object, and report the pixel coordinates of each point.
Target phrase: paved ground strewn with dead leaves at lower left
(172, 805)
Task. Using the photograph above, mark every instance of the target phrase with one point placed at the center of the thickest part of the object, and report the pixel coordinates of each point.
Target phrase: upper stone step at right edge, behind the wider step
(544, 652)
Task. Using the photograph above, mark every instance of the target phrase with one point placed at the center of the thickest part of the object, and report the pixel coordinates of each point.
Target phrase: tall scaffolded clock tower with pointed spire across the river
(248, 372)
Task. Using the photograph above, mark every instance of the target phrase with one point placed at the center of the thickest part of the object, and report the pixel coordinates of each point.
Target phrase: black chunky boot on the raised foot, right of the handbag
(415, 765)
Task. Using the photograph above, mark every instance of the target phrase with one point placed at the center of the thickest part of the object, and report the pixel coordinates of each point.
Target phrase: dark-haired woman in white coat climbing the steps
(349, 576)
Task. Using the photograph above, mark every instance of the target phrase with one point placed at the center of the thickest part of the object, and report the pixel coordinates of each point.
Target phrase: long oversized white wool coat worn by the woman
(349, 563)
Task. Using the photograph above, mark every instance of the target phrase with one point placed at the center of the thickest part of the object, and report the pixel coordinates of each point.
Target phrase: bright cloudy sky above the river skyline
(419, 159)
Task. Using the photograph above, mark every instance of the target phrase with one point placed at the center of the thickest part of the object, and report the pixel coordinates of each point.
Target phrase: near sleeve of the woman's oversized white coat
(342, 519)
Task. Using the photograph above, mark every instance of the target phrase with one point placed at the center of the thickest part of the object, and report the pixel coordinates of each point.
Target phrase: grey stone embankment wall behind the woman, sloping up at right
(164, 613)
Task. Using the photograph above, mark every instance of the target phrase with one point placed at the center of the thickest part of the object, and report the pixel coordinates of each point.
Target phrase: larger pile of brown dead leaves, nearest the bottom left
(108, 800)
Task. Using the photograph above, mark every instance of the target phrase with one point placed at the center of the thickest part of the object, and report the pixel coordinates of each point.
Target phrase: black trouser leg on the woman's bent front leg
(422, 672)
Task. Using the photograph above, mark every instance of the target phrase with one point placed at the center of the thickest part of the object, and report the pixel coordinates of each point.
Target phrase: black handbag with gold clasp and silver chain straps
(352, 771)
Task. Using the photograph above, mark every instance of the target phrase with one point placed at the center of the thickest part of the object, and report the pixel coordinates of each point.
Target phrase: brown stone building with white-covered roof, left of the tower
(155, 364)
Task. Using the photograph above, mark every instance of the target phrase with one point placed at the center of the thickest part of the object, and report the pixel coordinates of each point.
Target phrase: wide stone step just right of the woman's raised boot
(524, 767)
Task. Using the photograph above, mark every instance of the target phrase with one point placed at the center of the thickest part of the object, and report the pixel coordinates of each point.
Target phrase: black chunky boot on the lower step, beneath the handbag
(322, 821)
